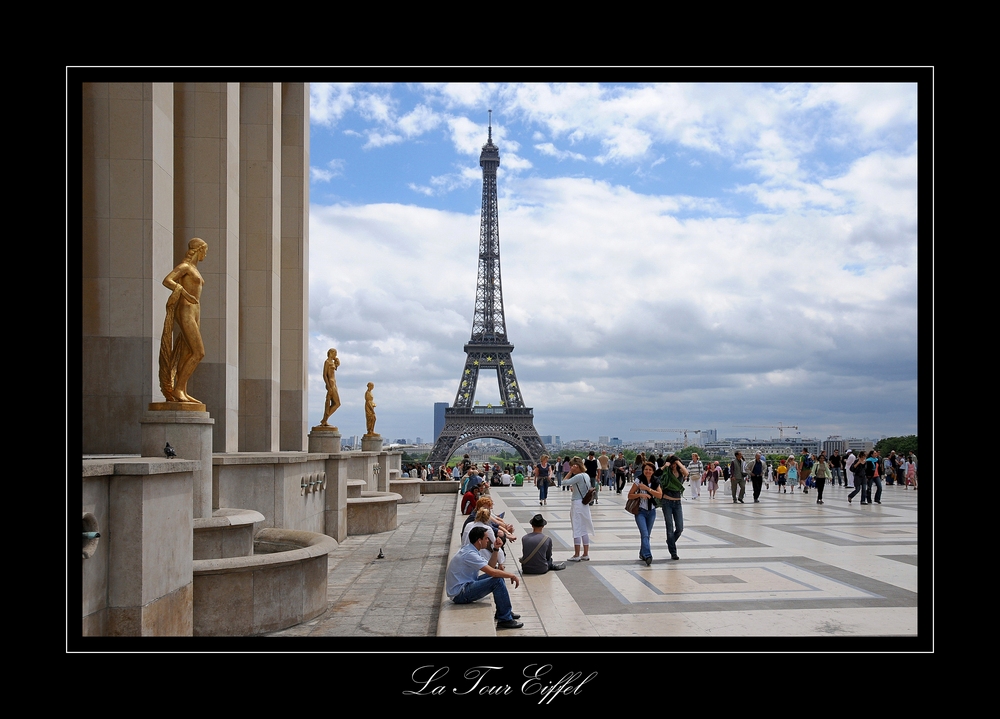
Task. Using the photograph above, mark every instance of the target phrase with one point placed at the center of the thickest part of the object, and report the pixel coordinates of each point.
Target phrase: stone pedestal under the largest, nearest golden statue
(190, 434)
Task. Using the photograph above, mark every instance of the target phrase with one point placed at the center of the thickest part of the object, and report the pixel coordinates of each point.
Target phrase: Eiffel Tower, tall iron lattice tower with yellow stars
(489, 348)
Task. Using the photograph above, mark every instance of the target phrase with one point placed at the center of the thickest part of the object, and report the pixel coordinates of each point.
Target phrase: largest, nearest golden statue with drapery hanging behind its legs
(178, 360)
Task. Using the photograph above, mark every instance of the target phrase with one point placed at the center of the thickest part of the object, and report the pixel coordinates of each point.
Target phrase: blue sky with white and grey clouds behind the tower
(689, 255)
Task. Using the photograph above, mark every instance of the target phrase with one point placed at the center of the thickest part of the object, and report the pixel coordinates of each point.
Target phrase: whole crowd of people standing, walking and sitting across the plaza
(654, 482)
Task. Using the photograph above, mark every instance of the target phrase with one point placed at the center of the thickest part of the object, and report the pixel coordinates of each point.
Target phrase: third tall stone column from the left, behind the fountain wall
(260, 266)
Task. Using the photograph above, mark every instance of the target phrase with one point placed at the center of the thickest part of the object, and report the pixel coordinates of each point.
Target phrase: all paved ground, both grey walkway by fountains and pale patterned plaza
(785, 567)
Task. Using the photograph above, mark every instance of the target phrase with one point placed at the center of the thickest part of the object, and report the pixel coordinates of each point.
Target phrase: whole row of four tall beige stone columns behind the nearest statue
(226, 162)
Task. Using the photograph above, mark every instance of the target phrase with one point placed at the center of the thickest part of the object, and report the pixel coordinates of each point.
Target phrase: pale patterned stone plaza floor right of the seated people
(785, 567)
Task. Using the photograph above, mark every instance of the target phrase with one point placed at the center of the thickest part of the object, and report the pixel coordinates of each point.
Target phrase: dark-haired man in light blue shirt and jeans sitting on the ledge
(464, 584)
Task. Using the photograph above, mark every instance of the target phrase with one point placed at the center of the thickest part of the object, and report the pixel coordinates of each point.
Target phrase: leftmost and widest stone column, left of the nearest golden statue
(128, 224)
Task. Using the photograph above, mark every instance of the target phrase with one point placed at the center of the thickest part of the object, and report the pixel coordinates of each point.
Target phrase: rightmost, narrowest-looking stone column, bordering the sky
(294, 264)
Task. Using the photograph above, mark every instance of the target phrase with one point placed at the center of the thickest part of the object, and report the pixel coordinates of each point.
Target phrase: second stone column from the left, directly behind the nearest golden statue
(206, 205)
